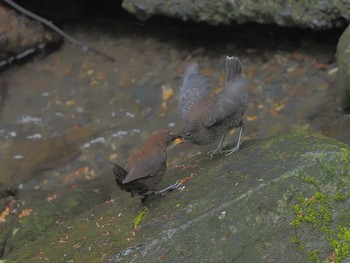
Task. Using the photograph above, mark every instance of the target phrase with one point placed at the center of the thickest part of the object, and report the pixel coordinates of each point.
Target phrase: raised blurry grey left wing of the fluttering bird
(194, 86)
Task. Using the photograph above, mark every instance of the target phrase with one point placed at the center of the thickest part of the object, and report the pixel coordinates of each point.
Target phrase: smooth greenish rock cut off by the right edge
(343, 54)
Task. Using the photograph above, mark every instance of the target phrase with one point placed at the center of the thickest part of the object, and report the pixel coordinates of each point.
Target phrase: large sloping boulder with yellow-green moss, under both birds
(284, 198)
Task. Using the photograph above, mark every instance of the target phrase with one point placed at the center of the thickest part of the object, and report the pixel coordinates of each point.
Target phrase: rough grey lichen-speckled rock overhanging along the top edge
(319, 14)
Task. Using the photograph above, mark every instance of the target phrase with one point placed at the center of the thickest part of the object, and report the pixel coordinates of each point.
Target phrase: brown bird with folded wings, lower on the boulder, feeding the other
(146, 167)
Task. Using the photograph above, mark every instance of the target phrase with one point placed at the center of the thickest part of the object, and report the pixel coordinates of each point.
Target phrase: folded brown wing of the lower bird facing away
(149, 165)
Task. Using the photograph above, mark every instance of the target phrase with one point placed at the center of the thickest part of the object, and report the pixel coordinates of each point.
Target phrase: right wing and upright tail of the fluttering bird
(232, 98)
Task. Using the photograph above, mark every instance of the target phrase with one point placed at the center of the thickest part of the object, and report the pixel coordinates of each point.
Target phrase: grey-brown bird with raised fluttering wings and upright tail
(209, 117)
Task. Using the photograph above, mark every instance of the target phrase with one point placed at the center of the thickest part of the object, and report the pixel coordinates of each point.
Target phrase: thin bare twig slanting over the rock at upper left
(57, 29)
